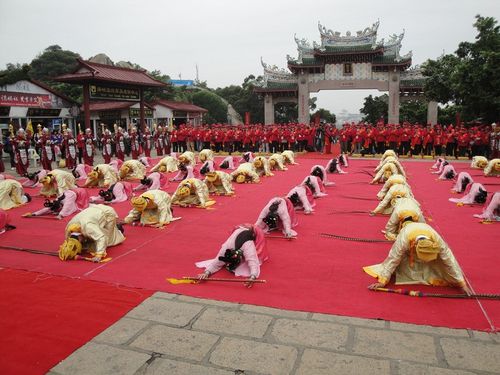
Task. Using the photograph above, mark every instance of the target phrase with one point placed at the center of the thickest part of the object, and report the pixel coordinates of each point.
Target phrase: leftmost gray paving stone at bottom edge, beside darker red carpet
(99, 359)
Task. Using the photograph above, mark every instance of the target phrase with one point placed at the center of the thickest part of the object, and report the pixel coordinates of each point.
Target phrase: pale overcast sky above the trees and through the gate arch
(226, 38)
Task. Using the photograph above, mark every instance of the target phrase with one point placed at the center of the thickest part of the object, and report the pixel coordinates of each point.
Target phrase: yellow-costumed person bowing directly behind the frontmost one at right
(406, 210)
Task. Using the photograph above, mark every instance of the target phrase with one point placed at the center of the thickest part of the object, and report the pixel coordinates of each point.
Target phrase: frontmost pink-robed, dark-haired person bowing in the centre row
(241, 254)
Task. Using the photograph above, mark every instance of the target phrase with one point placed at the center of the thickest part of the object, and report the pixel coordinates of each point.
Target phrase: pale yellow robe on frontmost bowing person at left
(98, 226)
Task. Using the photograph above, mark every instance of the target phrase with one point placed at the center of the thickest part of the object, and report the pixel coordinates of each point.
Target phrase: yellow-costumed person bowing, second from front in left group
(152, 207)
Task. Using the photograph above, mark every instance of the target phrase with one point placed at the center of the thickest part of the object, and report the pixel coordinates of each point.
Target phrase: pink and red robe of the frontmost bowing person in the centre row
(253, 252)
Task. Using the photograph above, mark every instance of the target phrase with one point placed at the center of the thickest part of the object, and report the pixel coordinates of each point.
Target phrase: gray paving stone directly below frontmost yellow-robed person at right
(393, 344)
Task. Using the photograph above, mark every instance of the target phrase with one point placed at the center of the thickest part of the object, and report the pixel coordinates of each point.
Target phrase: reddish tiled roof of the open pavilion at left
(89, 71)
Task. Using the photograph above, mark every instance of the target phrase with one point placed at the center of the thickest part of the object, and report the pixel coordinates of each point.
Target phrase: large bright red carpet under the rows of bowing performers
(311, 273)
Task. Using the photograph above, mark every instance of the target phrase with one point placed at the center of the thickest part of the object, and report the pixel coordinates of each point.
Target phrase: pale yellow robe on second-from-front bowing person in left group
(161, 213)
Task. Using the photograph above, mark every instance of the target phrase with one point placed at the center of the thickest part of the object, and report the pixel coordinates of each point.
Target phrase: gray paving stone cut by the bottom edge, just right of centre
(325, 363)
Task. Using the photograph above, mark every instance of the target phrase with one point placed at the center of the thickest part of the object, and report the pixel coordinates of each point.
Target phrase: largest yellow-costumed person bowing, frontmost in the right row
(419, 256)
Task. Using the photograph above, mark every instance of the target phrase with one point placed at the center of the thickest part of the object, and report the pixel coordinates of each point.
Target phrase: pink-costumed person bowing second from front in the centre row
(278, 214)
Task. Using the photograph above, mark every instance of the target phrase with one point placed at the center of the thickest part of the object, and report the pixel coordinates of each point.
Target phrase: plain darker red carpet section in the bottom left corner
(45, 318)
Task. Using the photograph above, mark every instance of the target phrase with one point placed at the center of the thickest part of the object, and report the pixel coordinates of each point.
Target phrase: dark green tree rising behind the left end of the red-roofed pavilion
(55, 61)
